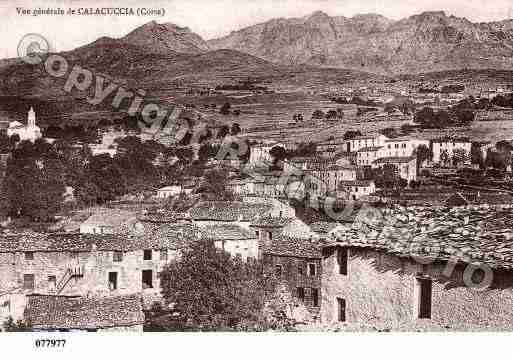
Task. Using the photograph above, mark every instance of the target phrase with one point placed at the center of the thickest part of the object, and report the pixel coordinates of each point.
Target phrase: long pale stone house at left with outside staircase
(83, 264)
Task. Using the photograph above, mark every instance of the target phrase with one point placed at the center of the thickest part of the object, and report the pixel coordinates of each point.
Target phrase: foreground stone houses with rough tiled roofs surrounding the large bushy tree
(389, 268)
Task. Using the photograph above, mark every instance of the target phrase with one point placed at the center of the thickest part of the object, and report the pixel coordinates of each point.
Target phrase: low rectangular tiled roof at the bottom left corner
(62, 312)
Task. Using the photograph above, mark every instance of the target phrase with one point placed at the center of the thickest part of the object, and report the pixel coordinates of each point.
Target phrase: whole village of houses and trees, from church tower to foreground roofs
(370, 230)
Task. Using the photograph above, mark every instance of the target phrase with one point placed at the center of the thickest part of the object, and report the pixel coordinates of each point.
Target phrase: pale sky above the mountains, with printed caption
(209, 18)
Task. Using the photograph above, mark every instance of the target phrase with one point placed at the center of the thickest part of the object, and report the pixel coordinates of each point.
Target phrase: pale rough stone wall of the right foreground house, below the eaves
(380, 290)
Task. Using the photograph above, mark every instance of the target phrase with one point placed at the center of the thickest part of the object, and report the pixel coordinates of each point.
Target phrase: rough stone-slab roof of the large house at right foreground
(470, 235)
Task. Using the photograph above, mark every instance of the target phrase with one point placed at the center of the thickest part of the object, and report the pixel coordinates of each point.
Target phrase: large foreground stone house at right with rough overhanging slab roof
(419, 267)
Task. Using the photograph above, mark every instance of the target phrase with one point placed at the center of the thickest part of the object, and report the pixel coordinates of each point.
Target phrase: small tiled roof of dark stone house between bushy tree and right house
(293, 247)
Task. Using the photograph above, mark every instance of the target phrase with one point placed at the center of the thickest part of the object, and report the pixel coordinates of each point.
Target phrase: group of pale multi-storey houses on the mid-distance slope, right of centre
(339, 167)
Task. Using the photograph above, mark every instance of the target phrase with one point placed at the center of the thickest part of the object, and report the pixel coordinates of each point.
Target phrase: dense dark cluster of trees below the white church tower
(38, 174)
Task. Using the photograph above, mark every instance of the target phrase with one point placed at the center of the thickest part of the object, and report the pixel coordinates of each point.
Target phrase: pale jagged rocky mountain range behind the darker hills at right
(431, 41)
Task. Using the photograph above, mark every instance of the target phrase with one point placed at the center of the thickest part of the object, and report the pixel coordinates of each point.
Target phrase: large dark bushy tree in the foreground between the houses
(207, 289)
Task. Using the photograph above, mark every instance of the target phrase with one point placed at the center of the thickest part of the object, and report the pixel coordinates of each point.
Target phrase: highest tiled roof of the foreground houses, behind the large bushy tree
(228, 211)
